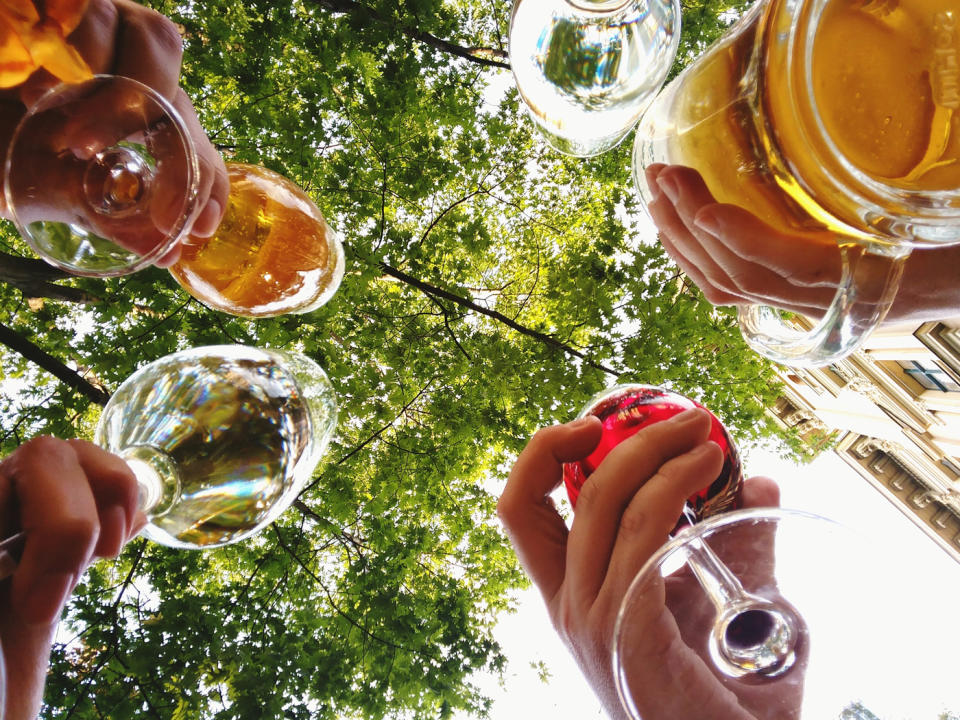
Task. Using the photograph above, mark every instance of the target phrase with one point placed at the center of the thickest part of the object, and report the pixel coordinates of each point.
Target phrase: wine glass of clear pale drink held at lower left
(220, 438)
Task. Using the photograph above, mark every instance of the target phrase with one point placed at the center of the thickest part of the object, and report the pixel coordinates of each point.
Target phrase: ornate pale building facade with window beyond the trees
(892, 410)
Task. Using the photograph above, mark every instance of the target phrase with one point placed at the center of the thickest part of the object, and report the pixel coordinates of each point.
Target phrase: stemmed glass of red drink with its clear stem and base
(752, 633)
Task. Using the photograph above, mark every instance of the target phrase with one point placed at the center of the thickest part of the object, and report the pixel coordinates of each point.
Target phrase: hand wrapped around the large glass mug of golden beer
(735, 258)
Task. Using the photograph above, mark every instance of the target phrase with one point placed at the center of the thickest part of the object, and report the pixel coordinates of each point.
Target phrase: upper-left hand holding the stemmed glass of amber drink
(122, 38)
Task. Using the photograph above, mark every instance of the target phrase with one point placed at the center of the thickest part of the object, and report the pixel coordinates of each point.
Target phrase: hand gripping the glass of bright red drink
(624, 514)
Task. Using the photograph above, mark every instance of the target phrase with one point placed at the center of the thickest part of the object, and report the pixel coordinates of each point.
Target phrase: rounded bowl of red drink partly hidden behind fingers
(624, 411)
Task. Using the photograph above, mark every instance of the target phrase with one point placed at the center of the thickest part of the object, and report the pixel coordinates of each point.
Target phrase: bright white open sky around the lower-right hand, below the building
(926, 615)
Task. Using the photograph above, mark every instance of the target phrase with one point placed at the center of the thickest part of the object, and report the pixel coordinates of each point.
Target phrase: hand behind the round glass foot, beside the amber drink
(123, 39)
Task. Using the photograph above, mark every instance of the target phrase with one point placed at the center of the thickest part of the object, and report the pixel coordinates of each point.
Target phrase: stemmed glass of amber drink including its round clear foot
(105, 196)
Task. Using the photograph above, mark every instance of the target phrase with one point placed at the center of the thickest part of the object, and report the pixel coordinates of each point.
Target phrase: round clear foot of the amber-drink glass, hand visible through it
(101, 194)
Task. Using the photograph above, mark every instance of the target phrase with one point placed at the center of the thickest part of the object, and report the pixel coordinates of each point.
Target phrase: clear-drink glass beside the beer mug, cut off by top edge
(587, 69)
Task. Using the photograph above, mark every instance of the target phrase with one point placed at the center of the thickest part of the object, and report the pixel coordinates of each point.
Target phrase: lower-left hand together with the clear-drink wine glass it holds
(201, 448)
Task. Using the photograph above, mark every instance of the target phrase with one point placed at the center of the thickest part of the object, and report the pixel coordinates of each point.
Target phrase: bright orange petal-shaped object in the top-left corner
(33, 35)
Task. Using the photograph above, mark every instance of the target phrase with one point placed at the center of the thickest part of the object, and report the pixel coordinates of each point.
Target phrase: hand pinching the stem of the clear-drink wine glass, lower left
(75, 502)
